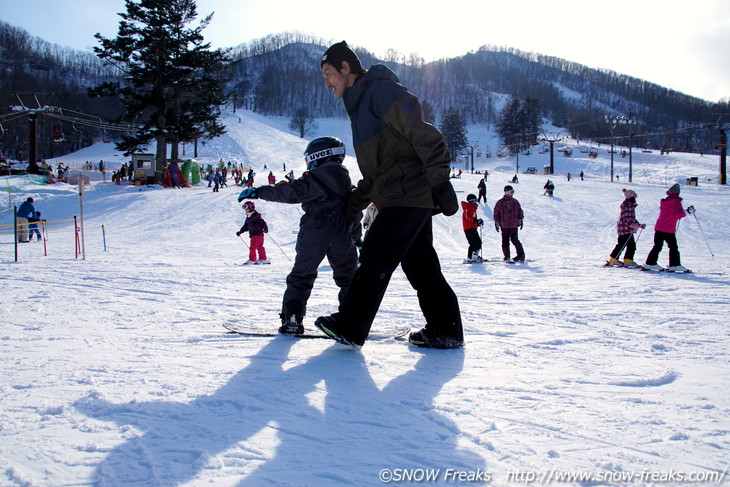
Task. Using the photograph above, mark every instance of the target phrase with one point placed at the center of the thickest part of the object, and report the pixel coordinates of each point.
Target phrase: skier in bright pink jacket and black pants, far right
(665, 230)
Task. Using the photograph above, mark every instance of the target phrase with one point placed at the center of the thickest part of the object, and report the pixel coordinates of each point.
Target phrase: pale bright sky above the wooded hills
(679, 45)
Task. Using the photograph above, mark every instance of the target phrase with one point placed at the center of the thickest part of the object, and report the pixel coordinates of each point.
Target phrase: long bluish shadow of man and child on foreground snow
(346, 437)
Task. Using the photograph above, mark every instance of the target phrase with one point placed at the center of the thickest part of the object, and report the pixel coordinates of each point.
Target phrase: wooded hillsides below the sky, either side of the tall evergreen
(279, 75)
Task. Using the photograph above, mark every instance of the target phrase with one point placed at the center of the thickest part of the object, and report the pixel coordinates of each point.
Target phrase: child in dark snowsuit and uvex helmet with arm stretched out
(323, 229)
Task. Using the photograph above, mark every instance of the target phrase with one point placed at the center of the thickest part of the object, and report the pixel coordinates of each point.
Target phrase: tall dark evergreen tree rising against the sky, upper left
(172, 84)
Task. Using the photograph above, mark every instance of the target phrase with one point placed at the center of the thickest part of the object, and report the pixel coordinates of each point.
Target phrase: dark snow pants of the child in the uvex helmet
(320, 235)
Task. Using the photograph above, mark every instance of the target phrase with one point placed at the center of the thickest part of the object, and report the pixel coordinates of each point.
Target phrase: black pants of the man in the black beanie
(400, 235)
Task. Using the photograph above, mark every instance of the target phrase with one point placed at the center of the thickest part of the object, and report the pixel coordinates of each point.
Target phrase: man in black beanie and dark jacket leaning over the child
(405, 168)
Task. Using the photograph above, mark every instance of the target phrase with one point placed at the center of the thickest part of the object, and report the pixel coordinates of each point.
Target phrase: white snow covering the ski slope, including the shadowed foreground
(116, 369)
